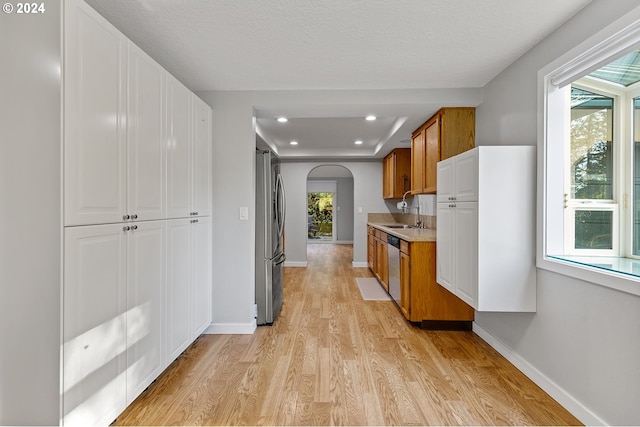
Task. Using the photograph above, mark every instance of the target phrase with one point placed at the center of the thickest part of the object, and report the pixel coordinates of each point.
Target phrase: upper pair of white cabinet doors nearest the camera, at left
(114, 124)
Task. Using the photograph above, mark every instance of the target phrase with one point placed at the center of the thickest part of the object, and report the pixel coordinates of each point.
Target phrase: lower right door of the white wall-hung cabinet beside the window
(466, 252)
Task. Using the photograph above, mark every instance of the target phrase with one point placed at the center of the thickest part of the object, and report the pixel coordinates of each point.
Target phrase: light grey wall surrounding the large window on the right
(584, 340)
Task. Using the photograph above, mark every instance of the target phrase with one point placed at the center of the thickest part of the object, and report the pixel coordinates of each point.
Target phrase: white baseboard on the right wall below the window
(570, 403)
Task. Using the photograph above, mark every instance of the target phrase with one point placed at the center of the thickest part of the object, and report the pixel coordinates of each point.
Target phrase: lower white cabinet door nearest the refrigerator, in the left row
(201, 299)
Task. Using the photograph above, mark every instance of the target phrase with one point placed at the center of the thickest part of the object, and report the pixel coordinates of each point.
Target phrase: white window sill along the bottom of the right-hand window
(622, 274)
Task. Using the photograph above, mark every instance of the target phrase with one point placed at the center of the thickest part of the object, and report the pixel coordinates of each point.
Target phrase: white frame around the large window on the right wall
(618, 38)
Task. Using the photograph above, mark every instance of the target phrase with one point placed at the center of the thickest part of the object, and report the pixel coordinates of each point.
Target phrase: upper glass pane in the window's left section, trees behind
(591, 151)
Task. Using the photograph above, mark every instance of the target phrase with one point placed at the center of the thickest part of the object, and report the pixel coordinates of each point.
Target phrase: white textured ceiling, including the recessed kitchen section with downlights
(336, 44)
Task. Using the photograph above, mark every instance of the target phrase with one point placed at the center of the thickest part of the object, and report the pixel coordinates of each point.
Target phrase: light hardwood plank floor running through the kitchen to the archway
(333, 359)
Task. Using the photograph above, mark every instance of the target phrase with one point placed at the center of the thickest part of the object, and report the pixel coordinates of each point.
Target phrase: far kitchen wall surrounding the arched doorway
(367, 194)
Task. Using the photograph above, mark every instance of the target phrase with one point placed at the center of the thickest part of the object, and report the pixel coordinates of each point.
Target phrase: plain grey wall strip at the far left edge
(30, 221)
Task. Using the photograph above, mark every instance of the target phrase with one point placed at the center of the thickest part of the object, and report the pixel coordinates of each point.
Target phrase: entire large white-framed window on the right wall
(589, 151)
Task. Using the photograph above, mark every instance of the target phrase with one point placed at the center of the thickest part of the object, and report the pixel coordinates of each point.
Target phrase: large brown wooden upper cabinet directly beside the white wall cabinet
(449, 132)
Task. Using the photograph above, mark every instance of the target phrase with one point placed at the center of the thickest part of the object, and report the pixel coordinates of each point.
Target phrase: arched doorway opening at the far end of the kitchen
(330, 205)
